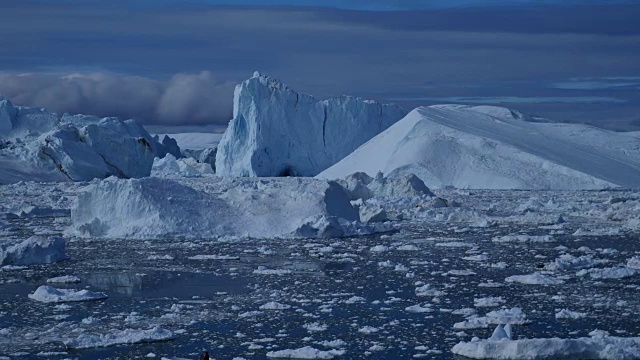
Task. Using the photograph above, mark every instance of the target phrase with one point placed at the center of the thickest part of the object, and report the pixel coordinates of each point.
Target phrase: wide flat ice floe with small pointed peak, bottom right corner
(597, 347)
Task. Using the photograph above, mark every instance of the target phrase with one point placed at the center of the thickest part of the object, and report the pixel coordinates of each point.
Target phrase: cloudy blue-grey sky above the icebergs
(175, 63)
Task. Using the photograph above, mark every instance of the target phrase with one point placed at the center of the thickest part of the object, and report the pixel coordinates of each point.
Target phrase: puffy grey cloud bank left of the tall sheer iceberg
(186, 98)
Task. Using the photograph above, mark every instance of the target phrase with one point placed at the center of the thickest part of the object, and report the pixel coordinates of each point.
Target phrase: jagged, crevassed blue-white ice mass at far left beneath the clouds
(38, 145)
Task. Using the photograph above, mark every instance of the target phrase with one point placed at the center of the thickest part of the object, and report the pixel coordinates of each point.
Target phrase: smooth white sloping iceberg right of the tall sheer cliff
(496, 148)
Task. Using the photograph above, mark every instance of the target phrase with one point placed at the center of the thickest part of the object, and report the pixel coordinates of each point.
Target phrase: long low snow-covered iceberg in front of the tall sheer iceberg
(265, 208)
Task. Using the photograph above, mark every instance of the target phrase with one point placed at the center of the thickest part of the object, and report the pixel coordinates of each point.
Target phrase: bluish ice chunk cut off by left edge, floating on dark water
(35, 250)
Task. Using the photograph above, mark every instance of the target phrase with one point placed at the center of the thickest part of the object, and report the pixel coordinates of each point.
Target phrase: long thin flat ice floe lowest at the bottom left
(128, 336)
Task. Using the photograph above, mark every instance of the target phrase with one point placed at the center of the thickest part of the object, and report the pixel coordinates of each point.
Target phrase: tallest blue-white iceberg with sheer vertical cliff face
(276, 131)
